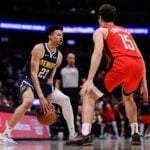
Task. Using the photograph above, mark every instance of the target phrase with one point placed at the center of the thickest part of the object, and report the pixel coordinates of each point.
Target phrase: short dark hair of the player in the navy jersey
(52, 28)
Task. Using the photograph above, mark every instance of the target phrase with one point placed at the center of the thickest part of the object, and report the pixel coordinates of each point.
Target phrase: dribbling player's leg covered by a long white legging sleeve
(62, 100)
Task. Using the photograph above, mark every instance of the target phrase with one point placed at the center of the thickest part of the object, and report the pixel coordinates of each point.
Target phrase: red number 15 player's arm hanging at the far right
(143, 87)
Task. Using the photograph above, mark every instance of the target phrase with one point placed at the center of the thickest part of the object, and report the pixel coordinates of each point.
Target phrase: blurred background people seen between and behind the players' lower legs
(110, 120)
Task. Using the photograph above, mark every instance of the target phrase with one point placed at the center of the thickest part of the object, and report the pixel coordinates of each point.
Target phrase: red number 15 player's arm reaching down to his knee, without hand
(97, 53)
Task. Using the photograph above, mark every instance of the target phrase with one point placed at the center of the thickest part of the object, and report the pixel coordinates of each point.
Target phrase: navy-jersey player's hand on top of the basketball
(44, 105)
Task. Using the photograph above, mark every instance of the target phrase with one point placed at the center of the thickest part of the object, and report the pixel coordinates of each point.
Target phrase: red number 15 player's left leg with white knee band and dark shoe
(88, 109)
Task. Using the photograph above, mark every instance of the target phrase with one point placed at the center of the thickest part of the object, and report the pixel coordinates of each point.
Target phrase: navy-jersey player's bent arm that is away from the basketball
(50, 80)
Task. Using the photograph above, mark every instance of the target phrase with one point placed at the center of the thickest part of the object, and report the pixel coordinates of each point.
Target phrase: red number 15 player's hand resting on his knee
(86, 88)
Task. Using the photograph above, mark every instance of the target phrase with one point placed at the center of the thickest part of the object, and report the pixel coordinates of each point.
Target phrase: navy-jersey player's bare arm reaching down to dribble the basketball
(37, 53)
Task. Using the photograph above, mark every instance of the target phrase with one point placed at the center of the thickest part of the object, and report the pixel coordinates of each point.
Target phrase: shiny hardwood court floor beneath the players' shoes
(120, 144)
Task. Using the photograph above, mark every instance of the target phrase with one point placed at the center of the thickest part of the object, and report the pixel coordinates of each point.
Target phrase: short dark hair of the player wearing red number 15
(107, 12)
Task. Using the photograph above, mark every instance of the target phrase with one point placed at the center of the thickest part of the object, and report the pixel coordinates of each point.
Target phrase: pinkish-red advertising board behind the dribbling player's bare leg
(27, 127)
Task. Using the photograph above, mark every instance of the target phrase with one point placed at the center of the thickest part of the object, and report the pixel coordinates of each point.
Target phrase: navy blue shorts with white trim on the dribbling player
(26, 82)
